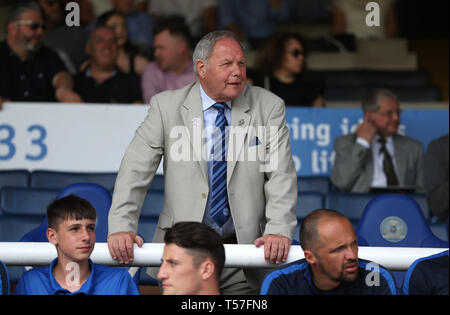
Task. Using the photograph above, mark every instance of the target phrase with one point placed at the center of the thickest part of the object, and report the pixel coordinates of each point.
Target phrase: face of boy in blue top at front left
(74, 239)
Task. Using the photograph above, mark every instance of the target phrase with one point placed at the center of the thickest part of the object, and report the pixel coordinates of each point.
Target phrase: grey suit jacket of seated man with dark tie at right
(354, 167)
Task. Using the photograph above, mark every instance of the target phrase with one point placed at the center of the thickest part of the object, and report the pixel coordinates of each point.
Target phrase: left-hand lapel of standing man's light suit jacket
(192, 115)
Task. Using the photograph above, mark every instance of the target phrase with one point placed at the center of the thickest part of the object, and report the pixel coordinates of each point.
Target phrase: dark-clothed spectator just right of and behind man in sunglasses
(68, 42)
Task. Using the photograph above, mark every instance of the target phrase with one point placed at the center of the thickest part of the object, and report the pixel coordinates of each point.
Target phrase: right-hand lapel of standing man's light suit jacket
(240, 119)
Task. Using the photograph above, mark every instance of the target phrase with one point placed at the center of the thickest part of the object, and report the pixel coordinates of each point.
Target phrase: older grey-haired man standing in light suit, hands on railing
(227, 163)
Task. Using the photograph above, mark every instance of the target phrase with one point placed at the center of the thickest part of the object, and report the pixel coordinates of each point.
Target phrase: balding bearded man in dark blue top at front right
(331, 265)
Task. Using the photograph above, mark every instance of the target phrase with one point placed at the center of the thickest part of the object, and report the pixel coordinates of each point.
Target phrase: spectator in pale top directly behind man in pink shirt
(200, 16)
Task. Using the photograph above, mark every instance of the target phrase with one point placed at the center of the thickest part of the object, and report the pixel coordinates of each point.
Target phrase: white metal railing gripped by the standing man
(247, 256)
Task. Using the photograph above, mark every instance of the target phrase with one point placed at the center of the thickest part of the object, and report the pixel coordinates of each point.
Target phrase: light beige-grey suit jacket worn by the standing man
(262, 199)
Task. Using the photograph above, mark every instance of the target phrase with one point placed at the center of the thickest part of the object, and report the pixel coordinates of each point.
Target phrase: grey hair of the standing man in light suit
(204, 48)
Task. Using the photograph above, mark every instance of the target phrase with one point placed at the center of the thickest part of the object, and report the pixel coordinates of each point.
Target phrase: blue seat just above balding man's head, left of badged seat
(349, 204)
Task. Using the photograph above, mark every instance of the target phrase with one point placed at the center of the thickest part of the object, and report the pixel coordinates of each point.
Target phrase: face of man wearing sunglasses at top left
(29, 32)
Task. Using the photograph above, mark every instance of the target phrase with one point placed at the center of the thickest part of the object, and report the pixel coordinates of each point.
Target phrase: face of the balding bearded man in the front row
(336, 256)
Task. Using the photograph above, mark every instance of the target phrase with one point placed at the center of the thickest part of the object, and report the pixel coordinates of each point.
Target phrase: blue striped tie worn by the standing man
(219, 198)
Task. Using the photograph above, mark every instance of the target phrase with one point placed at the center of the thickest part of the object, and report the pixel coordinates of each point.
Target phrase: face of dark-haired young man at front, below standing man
(178, 274)
